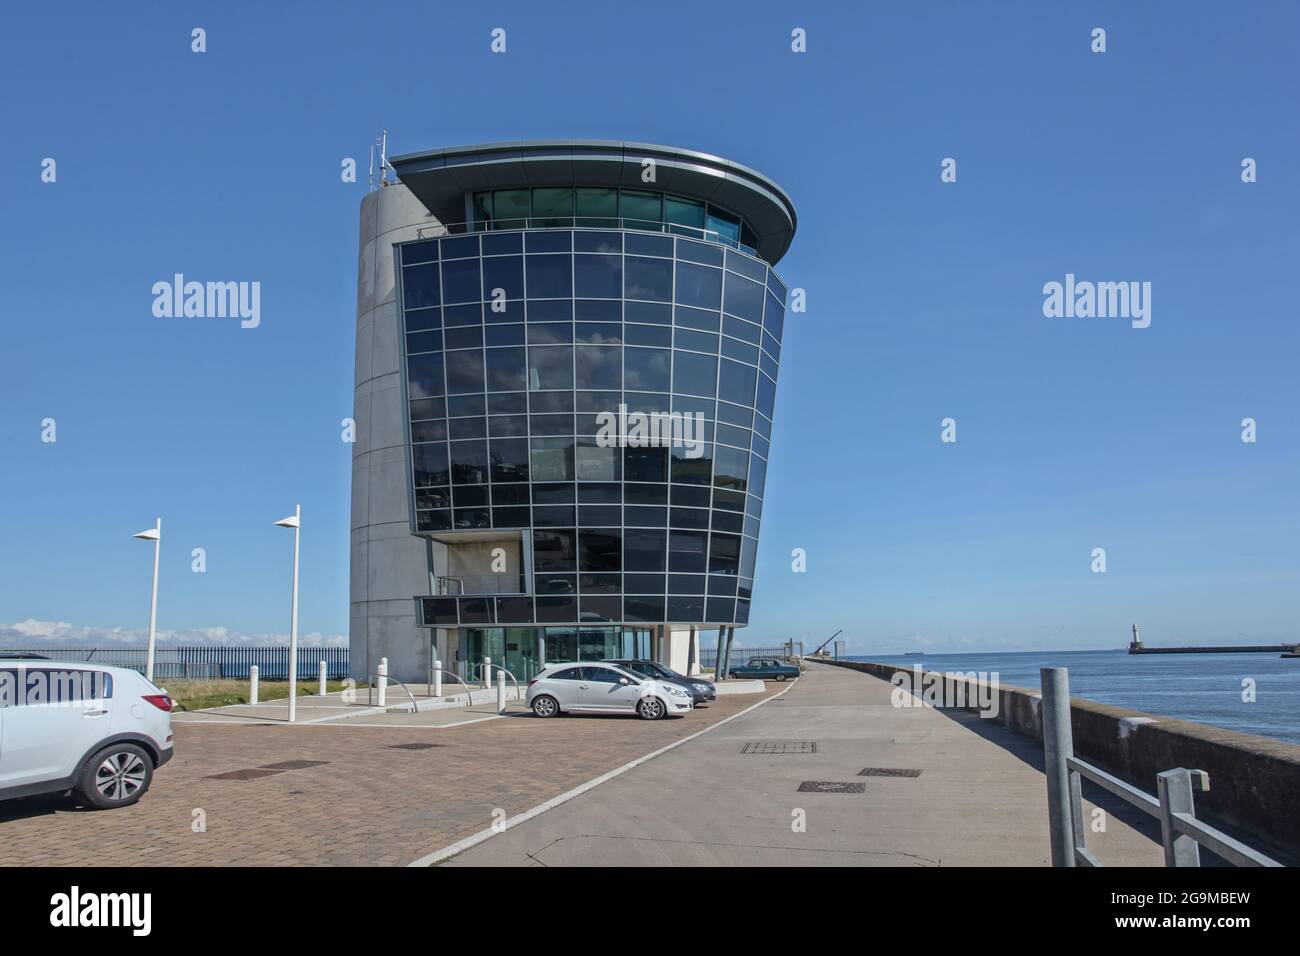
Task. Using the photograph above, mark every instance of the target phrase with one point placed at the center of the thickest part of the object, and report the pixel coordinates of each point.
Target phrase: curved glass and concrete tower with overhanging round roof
(565, 419)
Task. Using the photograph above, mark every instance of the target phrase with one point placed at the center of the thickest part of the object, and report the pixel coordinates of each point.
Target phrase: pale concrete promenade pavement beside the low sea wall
(980, 799)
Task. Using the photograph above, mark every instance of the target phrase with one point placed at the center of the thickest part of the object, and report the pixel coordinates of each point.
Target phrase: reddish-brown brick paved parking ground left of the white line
(369, 804)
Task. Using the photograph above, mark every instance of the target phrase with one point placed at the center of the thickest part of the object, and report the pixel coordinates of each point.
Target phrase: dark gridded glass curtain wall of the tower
(515, 344)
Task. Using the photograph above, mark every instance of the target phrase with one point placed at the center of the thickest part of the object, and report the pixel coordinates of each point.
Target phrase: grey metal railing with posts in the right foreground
(1182, 834)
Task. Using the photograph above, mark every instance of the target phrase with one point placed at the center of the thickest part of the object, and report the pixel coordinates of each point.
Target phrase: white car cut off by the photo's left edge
(94, 730)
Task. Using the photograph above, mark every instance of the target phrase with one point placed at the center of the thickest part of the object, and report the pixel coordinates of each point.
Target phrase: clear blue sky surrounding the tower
(925, 299)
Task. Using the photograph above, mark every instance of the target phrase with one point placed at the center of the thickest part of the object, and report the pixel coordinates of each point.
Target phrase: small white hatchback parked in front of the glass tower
(604, 689)
